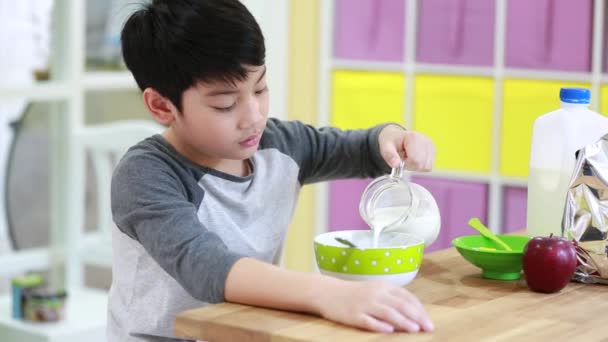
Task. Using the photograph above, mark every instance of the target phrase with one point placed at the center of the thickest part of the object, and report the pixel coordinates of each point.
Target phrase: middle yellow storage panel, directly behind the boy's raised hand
(456, 112)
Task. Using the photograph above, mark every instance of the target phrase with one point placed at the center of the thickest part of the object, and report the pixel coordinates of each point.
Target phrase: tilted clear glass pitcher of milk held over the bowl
(391, 203)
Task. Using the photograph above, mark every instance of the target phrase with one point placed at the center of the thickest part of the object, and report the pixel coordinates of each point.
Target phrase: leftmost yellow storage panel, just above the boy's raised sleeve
(363, 99)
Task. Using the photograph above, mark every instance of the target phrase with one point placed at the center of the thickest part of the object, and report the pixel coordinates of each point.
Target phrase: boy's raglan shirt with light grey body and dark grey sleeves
(181, 226)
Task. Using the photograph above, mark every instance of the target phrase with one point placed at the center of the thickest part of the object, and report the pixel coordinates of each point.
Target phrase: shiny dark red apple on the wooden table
(549, 263)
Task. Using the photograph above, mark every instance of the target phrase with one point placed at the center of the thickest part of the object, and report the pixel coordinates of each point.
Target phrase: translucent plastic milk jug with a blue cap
(556, 137)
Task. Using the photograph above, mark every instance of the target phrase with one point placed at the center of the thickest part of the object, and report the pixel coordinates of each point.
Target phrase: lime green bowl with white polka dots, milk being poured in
(396, 259)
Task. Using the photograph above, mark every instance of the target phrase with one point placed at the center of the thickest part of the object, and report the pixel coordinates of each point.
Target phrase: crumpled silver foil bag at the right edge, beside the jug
(586, 212)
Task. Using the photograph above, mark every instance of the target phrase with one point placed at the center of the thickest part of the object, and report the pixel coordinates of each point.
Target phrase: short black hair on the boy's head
(171, 45)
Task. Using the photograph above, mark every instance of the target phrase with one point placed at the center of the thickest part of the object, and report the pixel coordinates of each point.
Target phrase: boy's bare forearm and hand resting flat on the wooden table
(375, 306)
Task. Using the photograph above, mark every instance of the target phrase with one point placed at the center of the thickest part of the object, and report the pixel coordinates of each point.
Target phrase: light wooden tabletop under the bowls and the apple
(462, 305)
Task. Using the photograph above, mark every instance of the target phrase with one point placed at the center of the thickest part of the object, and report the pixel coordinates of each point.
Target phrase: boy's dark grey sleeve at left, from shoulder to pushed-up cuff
(150, 205)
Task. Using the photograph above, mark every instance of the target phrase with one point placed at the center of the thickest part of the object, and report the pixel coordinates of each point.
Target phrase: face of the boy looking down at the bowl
(221, 124)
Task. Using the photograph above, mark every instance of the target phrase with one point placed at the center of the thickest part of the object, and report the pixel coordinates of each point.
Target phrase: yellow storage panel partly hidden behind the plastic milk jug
(523, 102)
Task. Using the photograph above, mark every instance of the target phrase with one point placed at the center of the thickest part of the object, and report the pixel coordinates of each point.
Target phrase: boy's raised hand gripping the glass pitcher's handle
(416, 149)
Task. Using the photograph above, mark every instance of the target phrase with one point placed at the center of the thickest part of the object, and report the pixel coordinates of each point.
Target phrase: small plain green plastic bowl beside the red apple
(494, 264)
